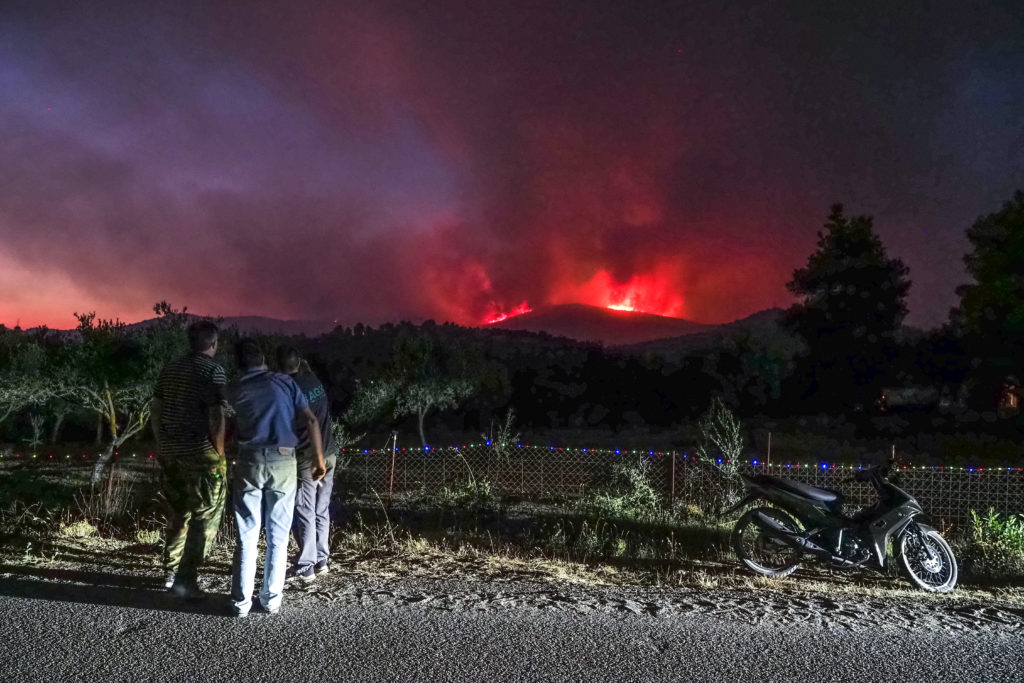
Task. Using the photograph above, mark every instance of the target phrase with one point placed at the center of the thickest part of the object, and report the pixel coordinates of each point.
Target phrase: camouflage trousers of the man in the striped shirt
(195, 489)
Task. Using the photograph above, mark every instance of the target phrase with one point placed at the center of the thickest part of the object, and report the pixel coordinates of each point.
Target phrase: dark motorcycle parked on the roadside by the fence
(805, 522)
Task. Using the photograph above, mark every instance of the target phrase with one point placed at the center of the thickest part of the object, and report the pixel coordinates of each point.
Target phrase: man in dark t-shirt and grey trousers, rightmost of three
(312, 523)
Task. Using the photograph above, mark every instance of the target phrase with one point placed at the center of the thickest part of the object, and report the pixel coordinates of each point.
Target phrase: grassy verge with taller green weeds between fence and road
(112, 533)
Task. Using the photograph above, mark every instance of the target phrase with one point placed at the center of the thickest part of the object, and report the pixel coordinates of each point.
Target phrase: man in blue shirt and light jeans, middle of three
(267, 406)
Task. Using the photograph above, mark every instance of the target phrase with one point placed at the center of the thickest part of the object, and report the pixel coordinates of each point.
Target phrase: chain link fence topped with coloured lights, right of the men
(948, 494)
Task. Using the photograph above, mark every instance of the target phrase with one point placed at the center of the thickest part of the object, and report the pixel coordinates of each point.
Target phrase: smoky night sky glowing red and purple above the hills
(391, 160)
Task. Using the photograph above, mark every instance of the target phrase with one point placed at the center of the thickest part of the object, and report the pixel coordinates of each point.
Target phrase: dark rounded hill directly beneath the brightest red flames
(613, 328)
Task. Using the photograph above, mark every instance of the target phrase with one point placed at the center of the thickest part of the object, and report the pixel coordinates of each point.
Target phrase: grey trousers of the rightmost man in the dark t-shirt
(312, 526)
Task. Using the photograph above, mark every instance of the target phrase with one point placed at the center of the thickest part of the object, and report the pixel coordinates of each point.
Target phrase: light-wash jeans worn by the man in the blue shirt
(265, 495)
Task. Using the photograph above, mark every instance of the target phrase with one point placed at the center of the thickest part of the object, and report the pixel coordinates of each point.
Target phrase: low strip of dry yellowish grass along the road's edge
(361, 554)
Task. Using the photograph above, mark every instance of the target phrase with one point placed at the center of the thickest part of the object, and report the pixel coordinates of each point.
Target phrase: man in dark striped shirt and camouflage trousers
(188, 419)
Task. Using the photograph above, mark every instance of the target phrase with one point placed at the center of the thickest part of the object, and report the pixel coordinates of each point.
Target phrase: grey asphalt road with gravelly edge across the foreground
(439, 631)
